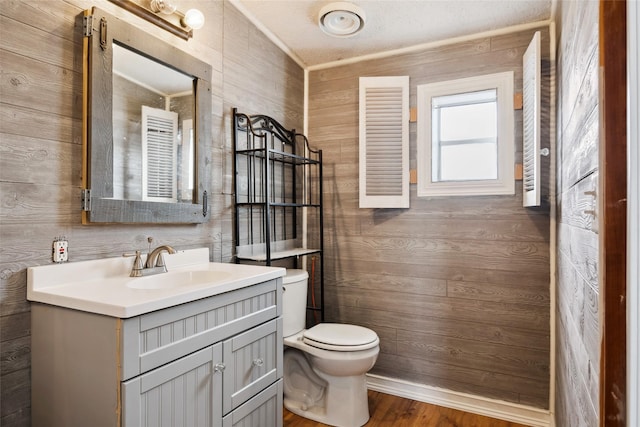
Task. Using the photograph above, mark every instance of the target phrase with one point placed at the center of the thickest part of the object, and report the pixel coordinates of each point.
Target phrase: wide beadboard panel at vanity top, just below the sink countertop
(157, 338)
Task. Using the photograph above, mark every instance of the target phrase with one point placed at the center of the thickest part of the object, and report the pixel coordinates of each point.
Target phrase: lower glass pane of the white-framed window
(468, 162)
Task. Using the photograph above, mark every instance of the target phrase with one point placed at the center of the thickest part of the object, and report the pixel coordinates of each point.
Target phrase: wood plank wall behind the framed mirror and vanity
(40, 151)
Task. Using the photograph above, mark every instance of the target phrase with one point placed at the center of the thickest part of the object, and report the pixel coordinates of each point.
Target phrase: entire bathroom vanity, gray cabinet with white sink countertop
(200, 345)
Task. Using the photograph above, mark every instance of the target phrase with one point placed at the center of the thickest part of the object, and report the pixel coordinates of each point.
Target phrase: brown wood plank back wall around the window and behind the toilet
(456, 288)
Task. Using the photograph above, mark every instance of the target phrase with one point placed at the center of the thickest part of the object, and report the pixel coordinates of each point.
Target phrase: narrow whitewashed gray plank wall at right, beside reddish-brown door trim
(578, 294)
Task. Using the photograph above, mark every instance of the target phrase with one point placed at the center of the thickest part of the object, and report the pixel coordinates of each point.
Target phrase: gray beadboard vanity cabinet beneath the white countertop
(214, 362)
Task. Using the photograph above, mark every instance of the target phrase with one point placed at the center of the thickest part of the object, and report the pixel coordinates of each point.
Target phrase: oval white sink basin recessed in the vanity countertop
(178, 279)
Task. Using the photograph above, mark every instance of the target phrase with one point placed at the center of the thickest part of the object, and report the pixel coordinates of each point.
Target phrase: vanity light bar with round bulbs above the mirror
(191, 20)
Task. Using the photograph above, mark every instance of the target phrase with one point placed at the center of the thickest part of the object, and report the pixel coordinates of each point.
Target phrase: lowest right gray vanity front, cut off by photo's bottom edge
(263, 410)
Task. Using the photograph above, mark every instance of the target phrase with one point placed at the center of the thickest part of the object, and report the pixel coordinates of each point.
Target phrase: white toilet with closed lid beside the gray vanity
(324, 366)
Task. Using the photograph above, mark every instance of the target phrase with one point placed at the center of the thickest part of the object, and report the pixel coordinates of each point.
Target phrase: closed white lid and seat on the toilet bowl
(340, 337)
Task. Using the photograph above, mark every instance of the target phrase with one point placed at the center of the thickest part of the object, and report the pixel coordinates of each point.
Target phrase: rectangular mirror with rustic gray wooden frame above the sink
(147, 109)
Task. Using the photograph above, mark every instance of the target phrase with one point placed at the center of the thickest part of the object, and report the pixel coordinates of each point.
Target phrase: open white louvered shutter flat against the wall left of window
(384, 142)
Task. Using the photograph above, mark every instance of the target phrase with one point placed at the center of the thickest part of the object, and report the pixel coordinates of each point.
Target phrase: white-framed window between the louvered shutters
(465, 136)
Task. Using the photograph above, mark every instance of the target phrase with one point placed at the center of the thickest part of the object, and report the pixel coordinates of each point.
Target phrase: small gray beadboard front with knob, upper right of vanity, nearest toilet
(253, 362)
